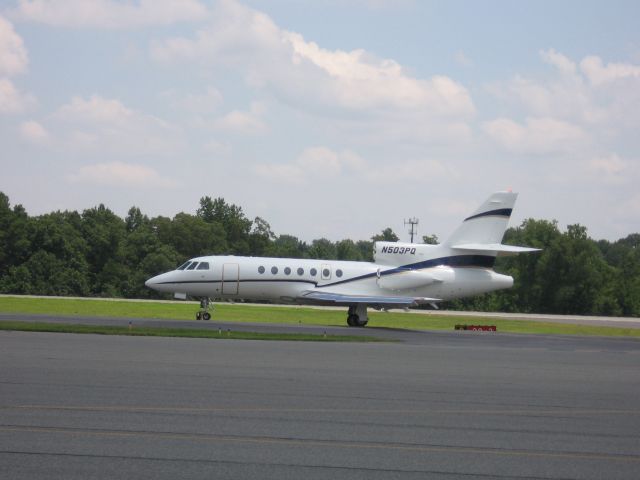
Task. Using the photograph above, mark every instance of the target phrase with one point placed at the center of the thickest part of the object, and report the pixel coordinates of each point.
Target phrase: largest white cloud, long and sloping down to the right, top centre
(304, 74)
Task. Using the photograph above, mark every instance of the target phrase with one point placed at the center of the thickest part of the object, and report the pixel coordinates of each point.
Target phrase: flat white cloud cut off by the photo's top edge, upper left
(110, 13)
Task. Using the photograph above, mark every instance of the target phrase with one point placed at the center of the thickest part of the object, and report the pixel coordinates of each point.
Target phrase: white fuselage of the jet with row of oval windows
(287, 279)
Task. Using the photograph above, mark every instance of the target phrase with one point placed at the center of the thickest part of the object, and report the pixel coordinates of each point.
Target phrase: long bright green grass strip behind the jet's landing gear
(282, 314)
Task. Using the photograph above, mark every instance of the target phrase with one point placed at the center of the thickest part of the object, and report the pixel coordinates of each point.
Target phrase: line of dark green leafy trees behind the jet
(98, 253)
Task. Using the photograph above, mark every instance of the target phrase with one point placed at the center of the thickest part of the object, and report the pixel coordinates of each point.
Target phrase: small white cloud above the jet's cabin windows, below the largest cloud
(312, 163)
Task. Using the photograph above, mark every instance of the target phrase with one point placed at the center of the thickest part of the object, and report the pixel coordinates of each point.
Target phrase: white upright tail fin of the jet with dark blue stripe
(487, 224)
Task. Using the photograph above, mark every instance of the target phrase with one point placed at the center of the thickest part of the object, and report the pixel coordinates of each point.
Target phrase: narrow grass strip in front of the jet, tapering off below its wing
(17, 326)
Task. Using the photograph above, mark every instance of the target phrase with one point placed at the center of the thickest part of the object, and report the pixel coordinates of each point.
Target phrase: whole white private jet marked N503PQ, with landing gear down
(401, 275)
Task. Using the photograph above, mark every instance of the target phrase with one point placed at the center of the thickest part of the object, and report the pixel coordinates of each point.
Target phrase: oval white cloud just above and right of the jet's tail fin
(536, 135)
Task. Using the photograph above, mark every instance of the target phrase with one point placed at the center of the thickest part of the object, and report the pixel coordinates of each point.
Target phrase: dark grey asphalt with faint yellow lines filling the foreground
(437, 405)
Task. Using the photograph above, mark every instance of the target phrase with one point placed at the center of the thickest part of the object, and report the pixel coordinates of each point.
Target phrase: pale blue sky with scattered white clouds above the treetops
(330, 118)
